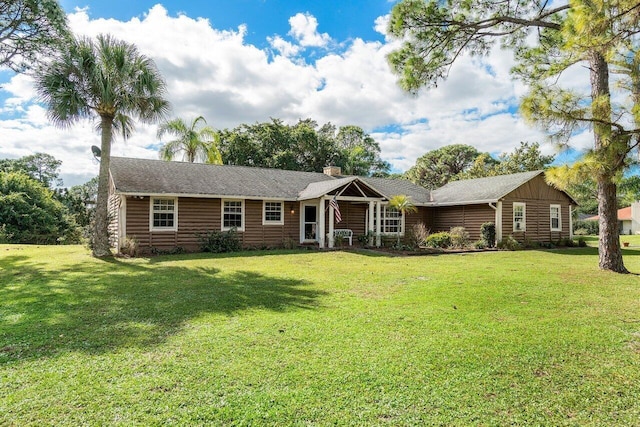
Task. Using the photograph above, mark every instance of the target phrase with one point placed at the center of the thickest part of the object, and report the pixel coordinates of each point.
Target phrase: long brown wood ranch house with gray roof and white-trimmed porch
(165, 204)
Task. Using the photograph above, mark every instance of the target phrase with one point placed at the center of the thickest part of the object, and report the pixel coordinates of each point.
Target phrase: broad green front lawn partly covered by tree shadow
(319, 338)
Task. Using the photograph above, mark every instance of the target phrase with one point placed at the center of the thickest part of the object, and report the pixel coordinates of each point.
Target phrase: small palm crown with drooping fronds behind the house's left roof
(195, 144)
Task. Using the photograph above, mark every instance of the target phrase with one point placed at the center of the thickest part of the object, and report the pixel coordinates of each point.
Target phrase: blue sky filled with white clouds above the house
(247, 61)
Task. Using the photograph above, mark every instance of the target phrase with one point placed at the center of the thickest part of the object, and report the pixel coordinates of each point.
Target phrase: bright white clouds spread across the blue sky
(218, 74)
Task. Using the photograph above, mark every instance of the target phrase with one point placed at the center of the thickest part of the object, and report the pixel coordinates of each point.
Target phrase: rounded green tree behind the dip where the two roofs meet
(437, 167)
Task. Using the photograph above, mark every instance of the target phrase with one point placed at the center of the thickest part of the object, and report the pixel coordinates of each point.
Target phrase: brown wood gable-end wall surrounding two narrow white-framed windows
(538, 197)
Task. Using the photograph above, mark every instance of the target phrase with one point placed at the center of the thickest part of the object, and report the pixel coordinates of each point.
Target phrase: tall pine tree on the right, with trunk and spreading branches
(599, 33)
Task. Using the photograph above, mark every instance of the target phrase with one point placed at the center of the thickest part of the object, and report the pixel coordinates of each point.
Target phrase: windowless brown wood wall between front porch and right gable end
(471, 217)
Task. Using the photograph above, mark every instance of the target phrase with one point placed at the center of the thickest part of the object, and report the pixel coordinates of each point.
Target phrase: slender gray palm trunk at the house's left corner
(101, 246)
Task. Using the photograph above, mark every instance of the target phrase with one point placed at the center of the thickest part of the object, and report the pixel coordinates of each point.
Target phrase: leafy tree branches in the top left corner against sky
(30, 29)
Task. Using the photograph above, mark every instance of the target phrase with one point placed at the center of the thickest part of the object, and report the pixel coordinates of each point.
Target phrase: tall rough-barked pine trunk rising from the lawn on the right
(610, 253)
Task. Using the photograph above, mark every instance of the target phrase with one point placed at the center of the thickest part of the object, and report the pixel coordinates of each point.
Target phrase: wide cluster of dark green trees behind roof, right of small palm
(304, 146)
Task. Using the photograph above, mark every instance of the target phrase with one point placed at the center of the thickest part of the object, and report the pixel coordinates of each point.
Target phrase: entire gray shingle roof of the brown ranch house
(156, 177)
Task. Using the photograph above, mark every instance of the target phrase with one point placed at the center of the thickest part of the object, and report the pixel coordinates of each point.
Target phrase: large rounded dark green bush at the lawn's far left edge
(30, 214)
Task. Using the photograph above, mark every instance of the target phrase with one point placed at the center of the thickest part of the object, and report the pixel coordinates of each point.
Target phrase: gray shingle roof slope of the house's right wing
(480, 190)
